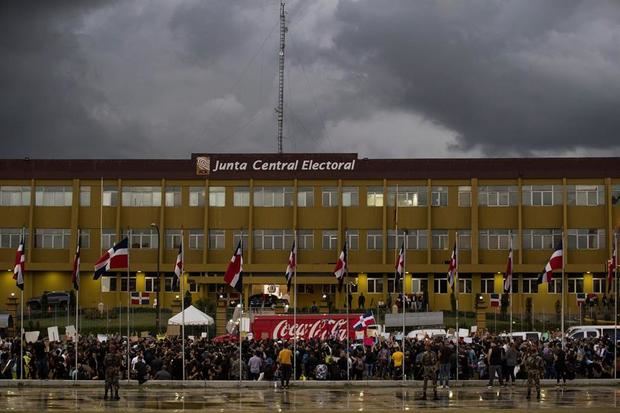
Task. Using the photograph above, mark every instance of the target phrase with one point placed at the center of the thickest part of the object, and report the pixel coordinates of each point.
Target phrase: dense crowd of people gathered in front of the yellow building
(485, 358)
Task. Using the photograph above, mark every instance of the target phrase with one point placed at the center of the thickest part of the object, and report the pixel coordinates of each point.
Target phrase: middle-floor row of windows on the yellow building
(282, 239)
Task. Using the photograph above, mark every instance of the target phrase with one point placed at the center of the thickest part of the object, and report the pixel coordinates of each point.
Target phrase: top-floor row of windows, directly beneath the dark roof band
(347, 196)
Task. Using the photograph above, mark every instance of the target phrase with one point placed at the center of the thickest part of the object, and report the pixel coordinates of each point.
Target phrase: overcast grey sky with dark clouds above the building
(382, 78)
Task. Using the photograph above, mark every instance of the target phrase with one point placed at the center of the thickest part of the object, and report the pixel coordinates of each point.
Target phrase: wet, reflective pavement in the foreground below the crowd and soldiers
(352, 399)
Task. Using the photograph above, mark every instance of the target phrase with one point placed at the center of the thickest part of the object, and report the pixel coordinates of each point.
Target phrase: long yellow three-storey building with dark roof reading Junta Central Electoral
(267, 199)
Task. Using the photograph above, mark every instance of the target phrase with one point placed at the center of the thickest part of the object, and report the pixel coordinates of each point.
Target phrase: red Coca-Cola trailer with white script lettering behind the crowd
(309, 326)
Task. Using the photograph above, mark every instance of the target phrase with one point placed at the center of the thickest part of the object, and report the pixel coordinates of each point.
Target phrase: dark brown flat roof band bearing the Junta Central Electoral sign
(309, 166)
